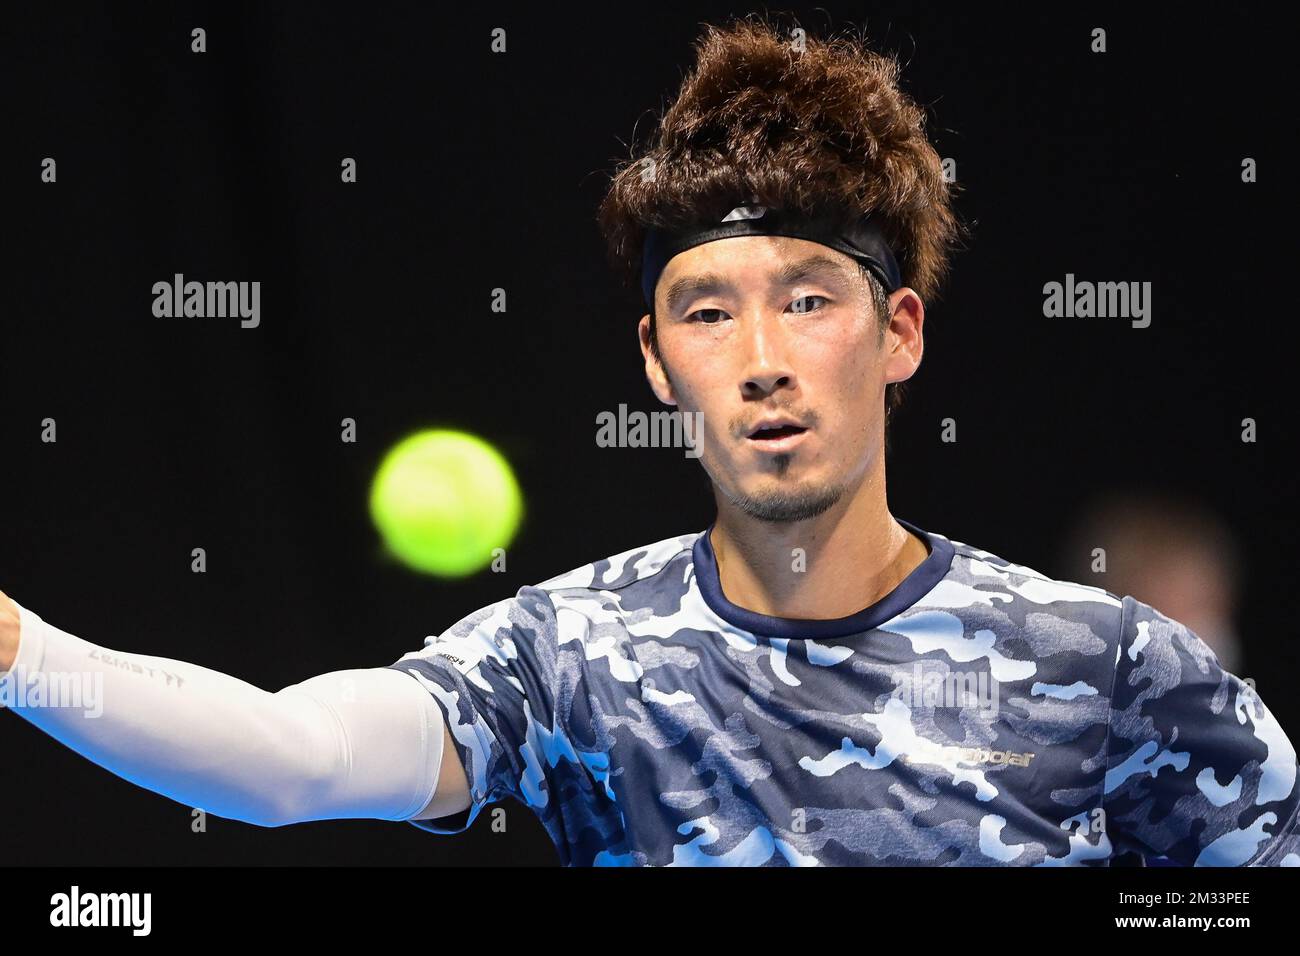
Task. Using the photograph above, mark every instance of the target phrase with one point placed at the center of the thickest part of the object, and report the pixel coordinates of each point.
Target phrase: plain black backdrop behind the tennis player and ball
(479, 171)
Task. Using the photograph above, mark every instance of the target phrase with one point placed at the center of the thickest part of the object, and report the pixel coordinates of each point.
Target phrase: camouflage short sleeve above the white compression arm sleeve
(493, 676)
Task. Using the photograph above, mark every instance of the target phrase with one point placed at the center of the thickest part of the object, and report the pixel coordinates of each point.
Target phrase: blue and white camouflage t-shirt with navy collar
(980, 715)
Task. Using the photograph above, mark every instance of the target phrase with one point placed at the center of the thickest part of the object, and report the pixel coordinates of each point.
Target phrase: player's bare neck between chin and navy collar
(826, 568)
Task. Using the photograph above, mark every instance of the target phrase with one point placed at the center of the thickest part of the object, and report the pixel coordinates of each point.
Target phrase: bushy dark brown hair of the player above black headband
(813, 128)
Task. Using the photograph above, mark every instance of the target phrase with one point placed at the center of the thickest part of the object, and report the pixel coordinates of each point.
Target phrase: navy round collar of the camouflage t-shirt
(911, 590)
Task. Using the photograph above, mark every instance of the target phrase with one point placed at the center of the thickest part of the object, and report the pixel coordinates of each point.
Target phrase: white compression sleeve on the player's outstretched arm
(350, 745)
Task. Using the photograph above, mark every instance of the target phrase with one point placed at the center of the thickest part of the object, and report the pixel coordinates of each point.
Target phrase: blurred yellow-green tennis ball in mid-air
(444, 501)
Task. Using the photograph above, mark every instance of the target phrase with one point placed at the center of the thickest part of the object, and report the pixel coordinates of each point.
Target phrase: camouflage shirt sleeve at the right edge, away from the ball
(1198, 769)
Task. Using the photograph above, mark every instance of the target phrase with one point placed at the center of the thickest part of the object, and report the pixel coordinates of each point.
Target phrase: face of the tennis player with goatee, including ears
(779, 331)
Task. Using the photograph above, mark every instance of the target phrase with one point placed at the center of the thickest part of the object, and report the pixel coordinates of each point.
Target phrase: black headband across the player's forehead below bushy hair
(861, 240)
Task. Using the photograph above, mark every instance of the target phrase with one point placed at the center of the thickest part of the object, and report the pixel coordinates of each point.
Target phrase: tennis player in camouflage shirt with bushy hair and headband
(811, 681)
